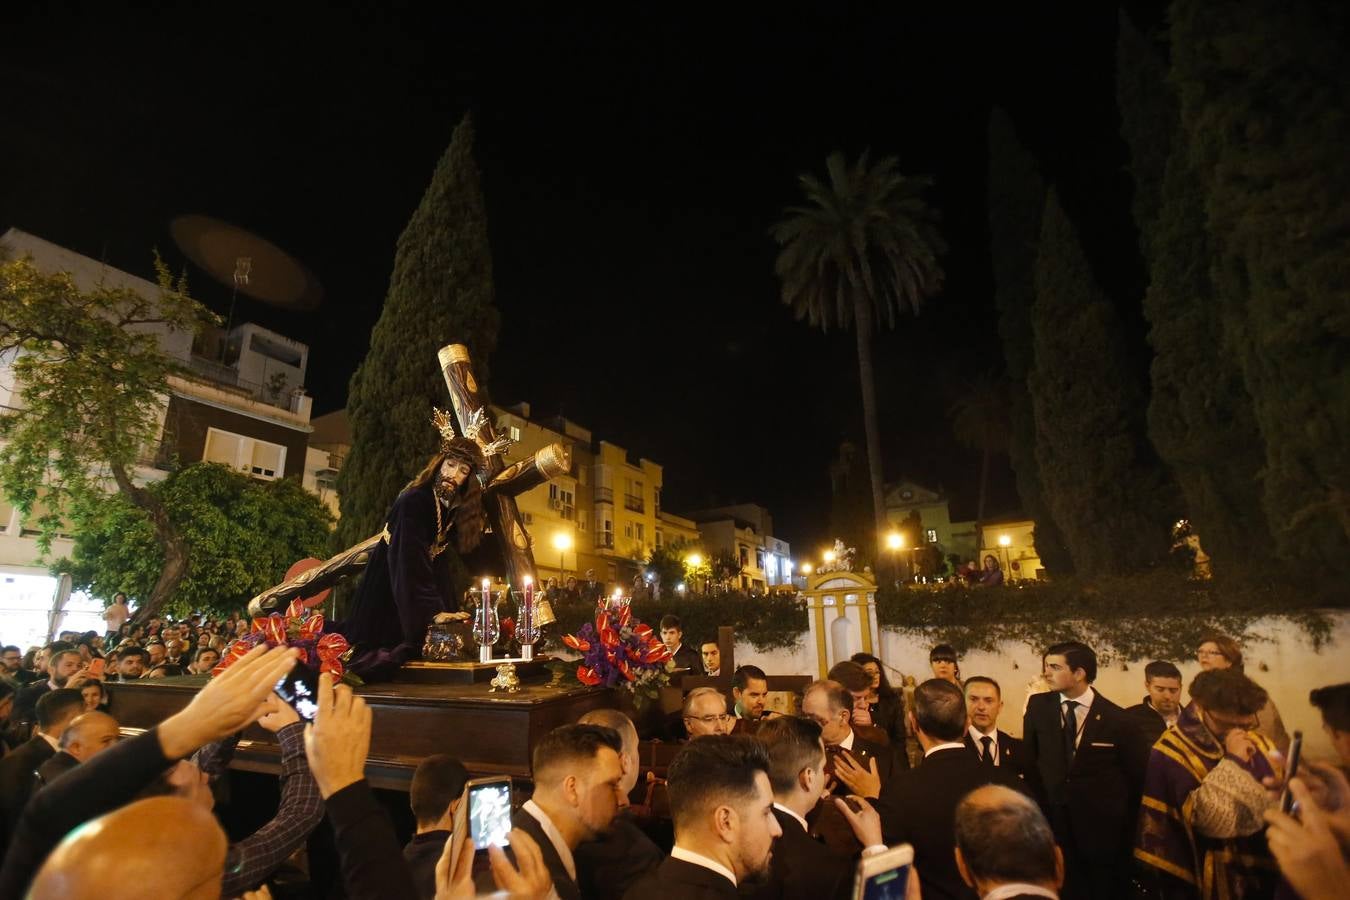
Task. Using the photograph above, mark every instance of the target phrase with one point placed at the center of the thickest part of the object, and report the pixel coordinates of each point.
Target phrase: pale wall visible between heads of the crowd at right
(1282, 655)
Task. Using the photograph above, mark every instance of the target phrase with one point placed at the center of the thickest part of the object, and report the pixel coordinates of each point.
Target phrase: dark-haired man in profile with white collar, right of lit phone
(578, 777)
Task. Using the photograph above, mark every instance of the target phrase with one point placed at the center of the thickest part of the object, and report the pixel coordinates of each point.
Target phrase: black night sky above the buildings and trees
(634, 163)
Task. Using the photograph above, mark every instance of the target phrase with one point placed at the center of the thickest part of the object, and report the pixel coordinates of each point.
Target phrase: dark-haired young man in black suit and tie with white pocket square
(1090, 760)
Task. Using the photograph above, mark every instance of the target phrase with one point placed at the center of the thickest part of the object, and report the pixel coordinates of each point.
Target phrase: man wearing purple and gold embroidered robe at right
(1201, 825)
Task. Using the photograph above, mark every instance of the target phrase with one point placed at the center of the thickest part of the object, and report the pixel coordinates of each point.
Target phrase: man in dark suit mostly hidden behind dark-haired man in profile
(610, 864)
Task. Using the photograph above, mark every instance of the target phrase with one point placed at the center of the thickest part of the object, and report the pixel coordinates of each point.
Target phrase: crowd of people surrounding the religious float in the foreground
(1177, 797)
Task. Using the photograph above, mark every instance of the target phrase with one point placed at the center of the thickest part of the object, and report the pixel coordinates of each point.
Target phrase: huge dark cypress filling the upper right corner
(1264, 96)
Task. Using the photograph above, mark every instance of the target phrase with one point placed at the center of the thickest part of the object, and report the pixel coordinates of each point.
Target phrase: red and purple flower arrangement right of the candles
(619, 651)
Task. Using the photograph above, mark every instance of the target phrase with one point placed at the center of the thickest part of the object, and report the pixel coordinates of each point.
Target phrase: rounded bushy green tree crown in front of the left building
(242, 535)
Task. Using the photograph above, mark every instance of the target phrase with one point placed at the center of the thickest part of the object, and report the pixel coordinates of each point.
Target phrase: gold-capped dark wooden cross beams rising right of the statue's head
(504, 482)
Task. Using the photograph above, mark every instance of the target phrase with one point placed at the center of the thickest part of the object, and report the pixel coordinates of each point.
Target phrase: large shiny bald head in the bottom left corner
(165, 847)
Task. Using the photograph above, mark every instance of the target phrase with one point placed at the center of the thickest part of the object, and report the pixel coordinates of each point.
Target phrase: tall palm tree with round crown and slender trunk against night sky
(862, 249)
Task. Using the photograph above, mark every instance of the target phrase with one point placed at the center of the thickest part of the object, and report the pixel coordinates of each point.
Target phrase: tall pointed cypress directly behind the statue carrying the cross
(441, 293)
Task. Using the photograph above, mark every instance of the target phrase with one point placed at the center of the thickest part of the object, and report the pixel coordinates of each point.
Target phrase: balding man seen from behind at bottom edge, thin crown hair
(1004, 844)
